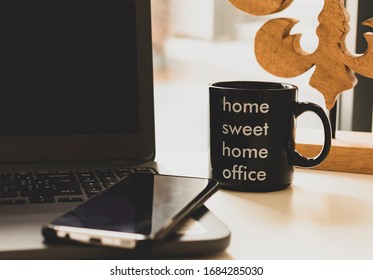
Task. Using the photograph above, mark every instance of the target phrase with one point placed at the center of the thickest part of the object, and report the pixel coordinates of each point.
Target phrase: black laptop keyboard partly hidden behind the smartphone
(59, 186)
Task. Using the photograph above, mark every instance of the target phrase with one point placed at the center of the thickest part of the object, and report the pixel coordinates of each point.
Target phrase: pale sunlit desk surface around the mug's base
(323, 215)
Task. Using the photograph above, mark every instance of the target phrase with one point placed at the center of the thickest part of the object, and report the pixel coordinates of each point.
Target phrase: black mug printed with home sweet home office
(252, 135)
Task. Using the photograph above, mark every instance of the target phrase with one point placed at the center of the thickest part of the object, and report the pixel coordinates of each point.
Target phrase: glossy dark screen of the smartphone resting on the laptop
(141, 203)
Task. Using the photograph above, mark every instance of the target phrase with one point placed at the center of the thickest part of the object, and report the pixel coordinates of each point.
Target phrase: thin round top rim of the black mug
(234, 85)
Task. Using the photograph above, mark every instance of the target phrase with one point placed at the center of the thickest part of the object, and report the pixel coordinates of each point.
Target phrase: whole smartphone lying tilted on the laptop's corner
(136, 212)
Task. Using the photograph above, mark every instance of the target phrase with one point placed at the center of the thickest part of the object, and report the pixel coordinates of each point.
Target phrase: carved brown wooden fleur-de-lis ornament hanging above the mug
(281, 54)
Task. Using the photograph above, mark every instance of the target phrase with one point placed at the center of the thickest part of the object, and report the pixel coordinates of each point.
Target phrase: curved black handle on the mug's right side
(299, 160)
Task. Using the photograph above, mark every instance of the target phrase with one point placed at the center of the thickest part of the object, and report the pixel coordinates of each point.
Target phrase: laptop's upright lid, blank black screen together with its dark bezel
(76, 80)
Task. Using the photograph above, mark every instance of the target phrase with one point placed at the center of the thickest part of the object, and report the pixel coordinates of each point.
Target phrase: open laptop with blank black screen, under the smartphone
(77, 115)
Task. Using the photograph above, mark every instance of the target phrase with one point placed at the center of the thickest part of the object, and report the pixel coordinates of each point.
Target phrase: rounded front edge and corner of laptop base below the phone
(203, 234)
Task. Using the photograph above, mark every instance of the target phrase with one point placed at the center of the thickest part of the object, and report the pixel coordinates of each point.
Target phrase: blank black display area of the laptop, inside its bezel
(68, 67)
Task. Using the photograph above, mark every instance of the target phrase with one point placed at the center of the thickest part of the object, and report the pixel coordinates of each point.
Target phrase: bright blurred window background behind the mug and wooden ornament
(196, 43)
